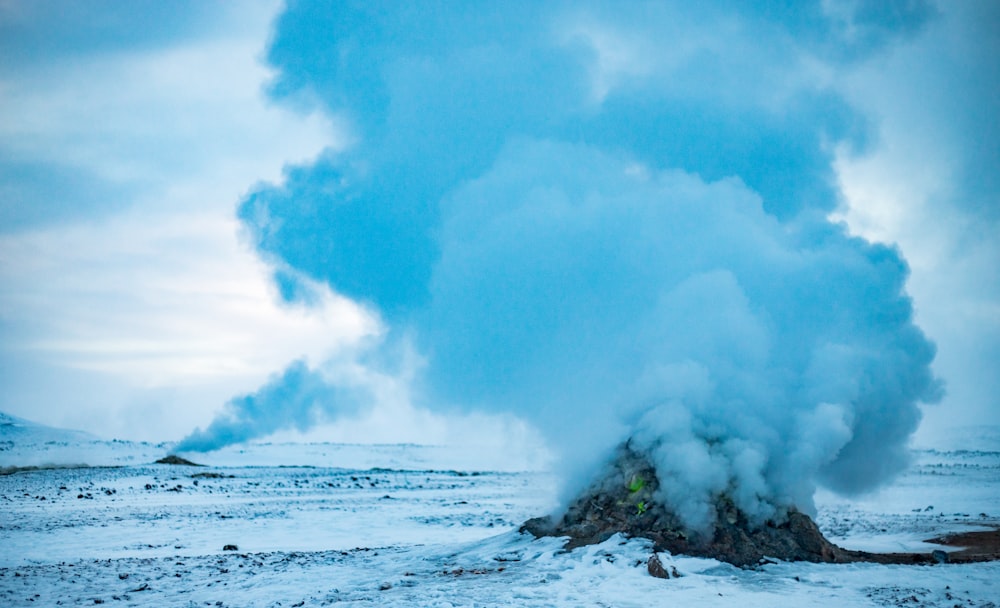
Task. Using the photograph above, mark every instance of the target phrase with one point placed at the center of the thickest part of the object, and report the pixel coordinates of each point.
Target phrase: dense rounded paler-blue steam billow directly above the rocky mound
(754, 358)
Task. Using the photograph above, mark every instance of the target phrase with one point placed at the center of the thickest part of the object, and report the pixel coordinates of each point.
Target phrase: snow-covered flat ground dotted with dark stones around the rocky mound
(405, 525)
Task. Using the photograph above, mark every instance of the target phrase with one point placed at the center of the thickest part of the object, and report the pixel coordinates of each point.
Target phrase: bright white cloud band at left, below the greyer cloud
(192, 293)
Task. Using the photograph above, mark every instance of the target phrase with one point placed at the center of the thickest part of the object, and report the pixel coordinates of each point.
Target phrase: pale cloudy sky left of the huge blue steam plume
(129, 304)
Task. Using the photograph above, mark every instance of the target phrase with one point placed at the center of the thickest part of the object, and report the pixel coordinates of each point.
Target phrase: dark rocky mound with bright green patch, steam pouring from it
(624, 500)
